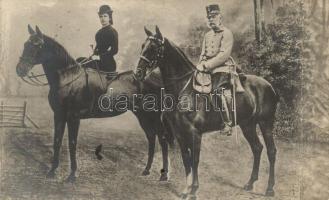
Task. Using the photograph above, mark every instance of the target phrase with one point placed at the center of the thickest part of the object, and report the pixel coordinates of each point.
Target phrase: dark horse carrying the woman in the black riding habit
(74, 94)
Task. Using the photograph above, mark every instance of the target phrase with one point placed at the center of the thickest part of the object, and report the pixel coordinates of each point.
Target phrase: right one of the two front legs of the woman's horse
(73, 129)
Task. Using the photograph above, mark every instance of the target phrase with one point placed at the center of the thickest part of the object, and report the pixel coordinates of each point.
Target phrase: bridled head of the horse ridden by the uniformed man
(151, 54)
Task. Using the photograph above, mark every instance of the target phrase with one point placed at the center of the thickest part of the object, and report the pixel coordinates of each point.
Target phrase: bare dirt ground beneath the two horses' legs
(301, 169)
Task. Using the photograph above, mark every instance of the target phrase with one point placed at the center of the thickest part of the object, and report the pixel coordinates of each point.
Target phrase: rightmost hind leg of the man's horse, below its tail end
(267, 128)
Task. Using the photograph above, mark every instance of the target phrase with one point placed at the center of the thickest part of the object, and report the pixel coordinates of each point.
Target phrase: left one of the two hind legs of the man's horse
(249, 132)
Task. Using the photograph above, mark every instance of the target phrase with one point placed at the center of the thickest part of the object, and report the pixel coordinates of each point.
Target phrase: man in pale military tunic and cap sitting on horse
(215, 57)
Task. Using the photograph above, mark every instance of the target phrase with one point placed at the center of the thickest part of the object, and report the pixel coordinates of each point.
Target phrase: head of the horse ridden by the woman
(32, 52)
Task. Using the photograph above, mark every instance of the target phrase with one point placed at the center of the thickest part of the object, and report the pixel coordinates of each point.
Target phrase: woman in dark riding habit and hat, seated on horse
(106, 40)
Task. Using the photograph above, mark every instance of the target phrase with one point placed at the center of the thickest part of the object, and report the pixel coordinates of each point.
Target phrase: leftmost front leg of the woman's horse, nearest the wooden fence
(59, 123)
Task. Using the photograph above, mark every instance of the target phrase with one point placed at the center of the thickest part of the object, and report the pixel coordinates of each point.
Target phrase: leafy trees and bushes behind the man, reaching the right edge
(292, 55)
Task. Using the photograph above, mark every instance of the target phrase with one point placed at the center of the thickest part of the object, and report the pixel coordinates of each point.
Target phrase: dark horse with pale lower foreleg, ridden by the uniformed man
(190, 118)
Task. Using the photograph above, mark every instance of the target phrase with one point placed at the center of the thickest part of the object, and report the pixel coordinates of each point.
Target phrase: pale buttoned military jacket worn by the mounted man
(216, 49)
